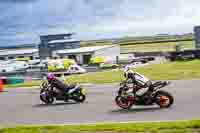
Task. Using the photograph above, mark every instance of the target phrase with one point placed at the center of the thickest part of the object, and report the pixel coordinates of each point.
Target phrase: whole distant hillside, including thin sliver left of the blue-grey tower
(135, 44)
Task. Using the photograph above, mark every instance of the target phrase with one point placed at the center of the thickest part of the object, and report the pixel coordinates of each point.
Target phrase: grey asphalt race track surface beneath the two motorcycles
(23, 106)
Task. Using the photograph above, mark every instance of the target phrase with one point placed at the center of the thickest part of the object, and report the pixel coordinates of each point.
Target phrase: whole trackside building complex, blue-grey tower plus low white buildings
(63, 46)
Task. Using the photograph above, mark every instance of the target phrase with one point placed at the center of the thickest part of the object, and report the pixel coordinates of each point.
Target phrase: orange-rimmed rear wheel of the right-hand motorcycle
(164, 99)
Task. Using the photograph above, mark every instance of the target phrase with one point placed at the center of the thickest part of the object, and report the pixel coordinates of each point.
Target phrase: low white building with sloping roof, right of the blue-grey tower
(83, 55)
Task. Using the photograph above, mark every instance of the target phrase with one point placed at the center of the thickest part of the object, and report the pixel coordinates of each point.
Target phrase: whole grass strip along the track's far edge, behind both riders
(178, 70)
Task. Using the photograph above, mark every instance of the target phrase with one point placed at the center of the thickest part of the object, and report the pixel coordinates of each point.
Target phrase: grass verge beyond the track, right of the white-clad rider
(173, 71)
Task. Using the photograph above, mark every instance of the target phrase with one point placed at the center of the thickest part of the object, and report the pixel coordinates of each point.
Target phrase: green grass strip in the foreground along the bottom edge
(153, 127)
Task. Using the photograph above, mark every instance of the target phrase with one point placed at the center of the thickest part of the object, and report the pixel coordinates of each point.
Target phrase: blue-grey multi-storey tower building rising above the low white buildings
(50, 43)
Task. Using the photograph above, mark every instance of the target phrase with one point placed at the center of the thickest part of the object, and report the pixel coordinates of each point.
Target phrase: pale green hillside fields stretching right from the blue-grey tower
(133, 44)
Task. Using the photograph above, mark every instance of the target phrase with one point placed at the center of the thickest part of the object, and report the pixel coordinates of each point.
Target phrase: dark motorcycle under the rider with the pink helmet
(75, 92)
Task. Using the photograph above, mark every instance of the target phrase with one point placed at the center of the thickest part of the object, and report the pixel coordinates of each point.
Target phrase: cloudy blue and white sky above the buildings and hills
(23, 21)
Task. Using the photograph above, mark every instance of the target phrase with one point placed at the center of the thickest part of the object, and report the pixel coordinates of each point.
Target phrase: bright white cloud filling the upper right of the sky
(152, 17)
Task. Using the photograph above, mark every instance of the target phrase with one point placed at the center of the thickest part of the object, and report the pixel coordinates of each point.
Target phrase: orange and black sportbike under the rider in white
(126, 99)
